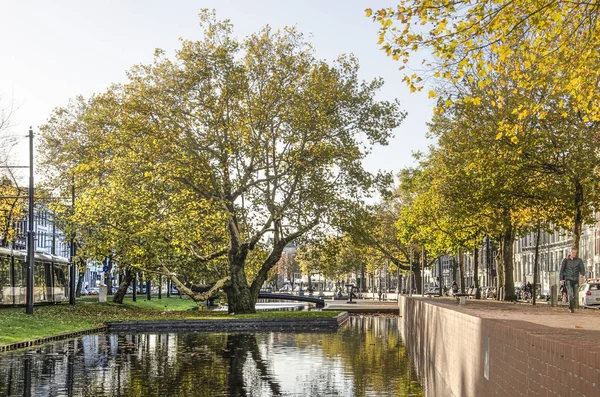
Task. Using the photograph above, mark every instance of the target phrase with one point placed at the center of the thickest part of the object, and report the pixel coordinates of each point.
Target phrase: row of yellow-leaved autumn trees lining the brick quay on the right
(516, 122)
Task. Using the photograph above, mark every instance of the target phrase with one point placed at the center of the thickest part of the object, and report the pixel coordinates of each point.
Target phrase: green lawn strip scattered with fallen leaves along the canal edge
(16, 326)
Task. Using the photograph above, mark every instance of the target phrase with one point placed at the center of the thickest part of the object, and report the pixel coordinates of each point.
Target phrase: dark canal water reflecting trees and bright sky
(365, 358)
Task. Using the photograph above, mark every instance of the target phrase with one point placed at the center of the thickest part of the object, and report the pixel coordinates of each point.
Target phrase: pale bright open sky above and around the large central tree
(55, 50)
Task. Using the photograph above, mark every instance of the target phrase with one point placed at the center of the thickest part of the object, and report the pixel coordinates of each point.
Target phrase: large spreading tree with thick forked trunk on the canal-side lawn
(257, 131)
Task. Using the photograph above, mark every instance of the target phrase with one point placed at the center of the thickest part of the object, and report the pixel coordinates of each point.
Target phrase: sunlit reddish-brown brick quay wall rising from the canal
(460, 354)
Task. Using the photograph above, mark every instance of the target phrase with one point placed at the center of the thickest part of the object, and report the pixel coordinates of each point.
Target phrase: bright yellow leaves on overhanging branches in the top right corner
(525, 46)
